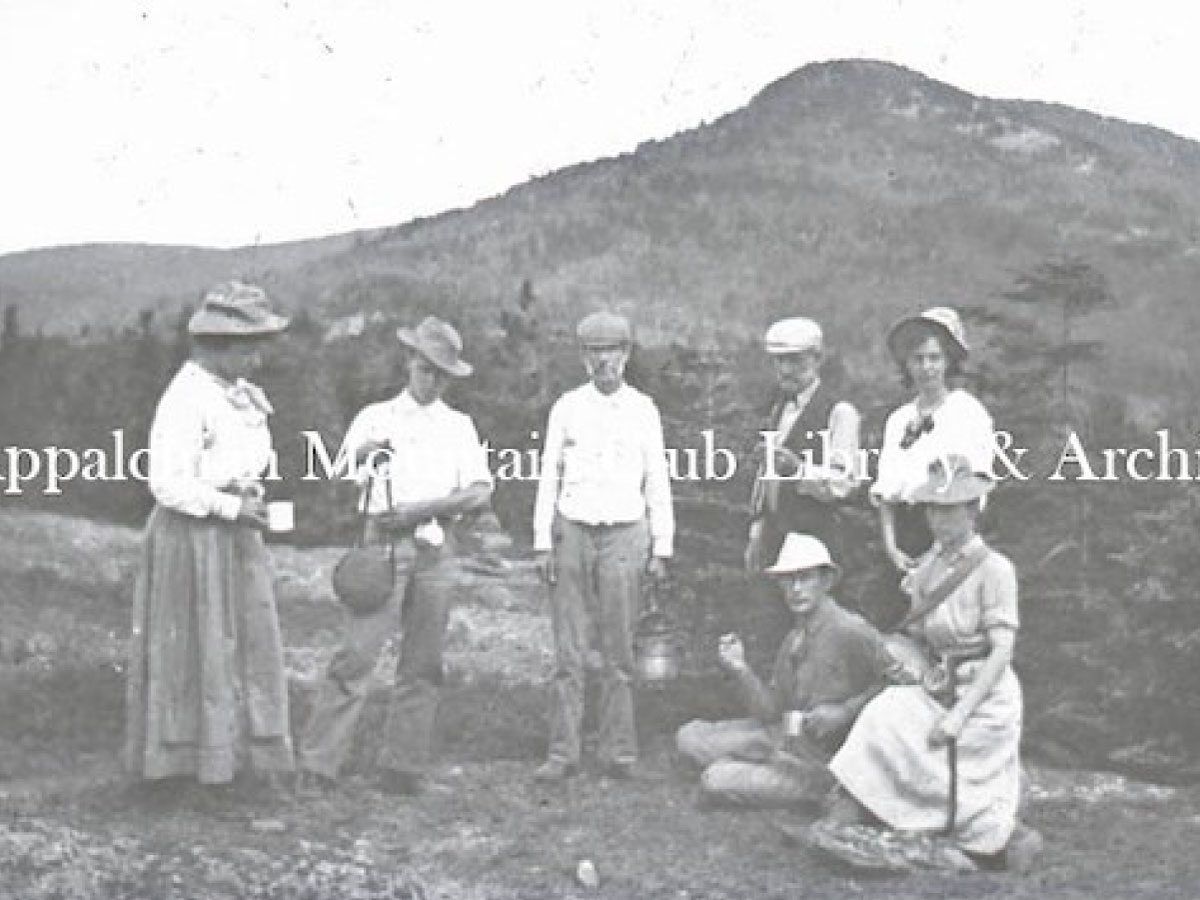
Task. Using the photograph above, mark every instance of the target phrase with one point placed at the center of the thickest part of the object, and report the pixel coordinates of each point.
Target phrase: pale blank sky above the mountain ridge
(231, 122)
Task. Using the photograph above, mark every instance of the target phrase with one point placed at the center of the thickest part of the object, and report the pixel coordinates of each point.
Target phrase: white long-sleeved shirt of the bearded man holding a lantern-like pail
(604, 464)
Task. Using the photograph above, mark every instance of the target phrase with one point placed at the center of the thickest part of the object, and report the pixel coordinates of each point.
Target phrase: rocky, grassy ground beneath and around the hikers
(74, 827)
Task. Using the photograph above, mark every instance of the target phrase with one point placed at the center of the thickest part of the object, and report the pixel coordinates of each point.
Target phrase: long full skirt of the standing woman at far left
(207, 694)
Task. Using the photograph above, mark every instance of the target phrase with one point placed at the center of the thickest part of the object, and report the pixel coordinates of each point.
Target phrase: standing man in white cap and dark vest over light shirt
(814, 460)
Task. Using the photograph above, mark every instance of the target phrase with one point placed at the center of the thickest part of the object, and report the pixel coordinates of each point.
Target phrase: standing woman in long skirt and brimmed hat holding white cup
(207, 694)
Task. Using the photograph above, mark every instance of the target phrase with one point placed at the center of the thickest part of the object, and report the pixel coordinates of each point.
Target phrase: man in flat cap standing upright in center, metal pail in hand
(603, 517)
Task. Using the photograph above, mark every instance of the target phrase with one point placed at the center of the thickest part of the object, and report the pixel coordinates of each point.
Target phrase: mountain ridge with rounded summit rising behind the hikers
(853, 190)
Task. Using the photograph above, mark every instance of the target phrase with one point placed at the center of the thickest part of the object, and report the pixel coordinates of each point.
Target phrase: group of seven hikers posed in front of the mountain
(915, 730)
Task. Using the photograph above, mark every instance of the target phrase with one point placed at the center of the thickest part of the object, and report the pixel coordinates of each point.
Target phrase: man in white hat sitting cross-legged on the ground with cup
(829, 667)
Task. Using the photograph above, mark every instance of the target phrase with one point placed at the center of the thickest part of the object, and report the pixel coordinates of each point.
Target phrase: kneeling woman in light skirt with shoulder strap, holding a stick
(925, 759)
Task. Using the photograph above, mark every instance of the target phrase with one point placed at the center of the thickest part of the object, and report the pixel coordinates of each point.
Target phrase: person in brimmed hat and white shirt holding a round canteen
(423, 467)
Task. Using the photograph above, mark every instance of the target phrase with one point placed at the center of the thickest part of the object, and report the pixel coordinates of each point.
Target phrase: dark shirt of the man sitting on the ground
(831, 658)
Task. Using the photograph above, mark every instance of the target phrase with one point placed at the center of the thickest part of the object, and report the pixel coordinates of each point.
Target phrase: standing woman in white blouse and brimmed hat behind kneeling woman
(931, 350)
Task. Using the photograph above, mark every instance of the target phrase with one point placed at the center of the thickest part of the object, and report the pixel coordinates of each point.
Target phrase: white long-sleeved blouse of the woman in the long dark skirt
(209, 441)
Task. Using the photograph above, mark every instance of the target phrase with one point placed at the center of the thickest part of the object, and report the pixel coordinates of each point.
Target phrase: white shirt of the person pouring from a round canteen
(434, 452)
